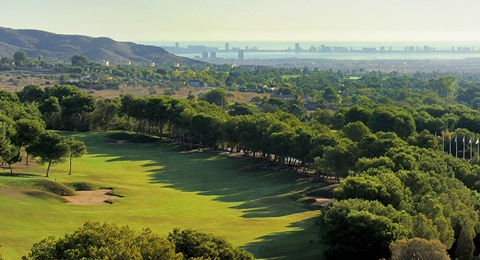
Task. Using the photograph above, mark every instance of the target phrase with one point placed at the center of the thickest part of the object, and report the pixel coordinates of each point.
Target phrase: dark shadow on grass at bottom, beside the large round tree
(302, 243)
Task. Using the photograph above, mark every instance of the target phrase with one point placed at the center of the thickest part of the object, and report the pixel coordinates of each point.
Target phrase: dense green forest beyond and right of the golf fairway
(403, 148)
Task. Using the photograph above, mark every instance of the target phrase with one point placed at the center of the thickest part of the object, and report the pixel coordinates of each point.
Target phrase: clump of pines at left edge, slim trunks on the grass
(23, 134)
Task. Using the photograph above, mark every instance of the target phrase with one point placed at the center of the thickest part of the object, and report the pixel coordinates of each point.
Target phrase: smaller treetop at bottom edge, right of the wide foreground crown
(197, 245)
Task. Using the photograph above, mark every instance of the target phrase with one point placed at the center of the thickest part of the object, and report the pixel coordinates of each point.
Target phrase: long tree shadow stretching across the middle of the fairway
(257, 192)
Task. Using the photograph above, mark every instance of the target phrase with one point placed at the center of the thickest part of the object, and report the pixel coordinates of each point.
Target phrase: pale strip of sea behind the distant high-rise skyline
(264, 50)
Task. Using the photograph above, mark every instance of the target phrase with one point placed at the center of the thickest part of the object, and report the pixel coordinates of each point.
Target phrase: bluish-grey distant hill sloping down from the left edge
(53, 46)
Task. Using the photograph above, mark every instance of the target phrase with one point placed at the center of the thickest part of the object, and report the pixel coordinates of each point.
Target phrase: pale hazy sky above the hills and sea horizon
(250, 20)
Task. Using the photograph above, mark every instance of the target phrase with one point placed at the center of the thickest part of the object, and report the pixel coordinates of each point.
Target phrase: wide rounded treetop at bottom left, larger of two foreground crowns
(104, 241)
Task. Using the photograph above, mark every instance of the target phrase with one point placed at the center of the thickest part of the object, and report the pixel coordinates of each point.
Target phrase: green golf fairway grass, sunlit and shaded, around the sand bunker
(163, 186)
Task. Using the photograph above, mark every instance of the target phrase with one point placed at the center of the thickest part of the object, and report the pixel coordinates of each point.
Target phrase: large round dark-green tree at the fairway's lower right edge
(359, 229)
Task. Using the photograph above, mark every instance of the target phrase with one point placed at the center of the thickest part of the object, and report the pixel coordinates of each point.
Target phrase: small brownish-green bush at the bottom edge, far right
(418, 249)
